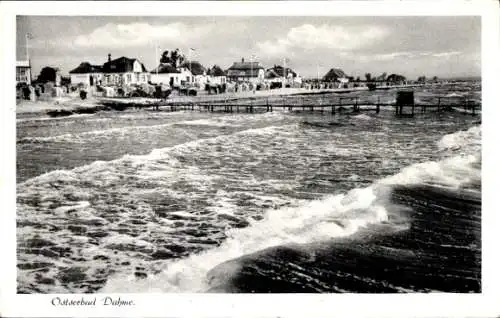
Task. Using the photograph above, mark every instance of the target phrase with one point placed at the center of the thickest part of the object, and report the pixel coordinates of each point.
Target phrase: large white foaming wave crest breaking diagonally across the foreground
(330, 217)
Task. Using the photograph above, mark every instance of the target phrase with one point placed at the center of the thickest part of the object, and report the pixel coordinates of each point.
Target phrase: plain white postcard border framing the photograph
(296, 305)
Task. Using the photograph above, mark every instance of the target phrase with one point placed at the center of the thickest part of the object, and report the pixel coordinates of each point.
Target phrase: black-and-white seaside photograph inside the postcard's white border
(248, 154)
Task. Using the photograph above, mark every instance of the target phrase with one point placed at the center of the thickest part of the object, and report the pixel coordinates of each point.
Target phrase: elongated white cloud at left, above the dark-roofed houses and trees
(114, 35)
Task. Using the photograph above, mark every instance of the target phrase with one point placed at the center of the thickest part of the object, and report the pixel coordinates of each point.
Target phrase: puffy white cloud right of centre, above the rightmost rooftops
(308, 36)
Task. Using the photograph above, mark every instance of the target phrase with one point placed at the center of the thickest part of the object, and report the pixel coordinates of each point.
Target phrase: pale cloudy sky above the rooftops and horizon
(443, 46)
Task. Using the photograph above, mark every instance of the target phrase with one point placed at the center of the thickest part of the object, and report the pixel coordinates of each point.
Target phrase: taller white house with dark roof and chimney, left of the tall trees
(124, 71)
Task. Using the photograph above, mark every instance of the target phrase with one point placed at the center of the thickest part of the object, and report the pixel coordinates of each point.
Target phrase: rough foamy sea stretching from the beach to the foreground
(266, 202)
